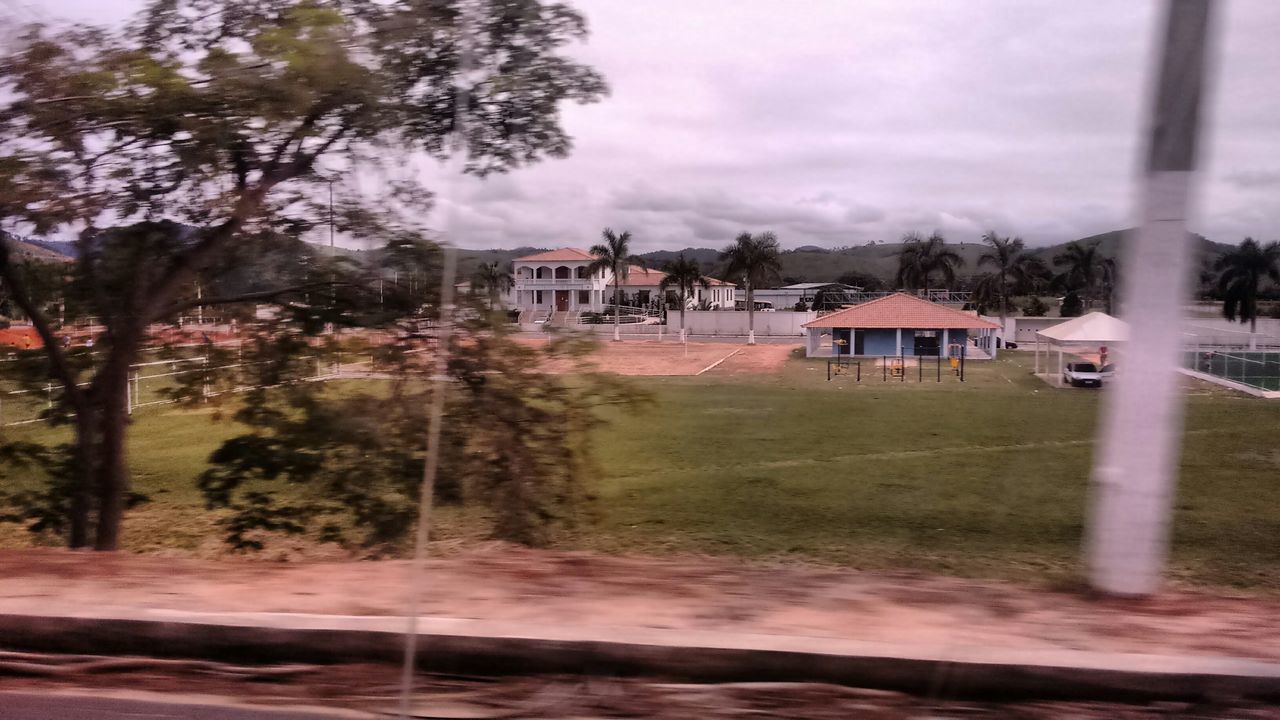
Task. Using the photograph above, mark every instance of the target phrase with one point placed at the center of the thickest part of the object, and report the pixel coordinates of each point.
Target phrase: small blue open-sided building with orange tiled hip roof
(900, 325)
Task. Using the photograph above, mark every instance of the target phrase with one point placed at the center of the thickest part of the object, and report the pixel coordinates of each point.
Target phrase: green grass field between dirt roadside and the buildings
(984, 479)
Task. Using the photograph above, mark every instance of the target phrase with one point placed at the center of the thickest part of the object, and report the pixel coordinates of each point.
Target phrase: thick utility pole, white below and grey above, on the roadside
(1136, 467)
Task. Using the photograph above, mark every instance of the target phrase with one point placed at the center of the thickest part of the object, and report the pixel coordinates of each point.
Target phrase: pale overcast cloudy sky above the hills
(840, 122)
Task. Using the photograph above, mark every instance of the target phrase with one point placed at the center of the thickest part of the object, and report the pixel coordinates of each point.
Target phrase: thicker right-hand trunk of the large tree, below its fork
(112, 473)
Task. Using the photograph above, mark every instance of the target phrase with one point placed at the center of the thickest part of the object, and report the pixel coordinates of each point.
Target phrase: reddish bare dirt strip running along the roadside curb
(572, 589)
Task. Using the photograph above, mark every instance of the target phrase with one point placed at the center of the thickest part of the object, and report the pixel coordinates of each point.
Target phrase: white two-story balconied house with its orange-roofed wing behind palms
(559, 281)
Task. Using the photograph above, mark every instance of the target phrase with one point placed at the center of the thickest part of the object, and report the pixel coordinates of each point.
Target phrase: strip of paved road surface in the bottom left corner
(43, 707)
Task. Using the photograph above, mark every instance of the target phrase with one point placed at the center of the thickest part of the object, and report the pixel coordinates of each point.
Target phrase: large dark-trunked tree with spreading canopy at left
(207, 127)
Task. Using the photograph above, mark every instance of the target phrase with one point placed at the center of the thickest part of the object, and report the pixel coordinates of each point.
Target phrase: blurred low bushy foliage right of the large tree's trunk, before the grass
(348, 466)
